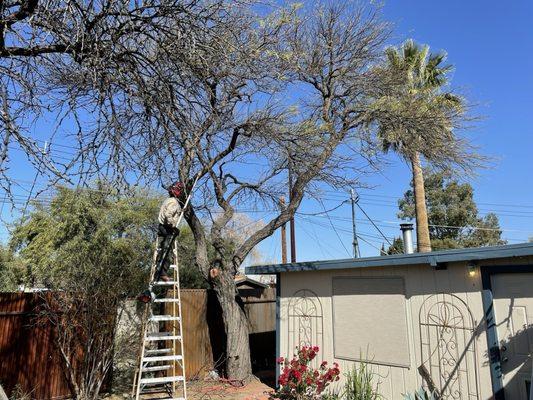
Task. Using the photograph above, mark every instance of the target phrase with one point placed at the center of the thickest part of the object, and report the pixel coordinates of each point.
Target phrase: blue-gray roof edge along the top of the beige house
(434, 258)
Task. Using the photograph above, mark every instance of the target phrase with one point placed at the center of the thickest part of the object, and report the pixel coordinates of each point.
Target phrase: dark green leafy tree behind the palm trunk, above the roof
(454, 220)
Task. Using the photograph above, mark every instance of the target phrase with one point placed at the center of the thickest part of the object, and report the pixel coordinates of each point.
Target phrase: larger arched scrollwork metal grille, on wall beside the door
(448, 346)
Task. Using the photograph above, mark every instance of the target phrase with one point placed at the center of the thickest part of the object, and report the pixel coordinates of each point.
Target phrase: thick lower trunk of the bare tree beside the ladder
(238, 364)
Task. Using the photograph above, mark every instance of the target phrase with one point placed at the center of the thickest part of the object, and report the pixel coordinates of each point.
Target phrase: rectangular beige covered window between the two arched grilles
(370, 320)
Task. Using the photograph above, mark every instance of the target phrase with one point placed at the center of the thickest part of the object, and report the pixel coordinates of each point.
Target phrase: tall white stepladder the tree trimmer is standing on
(161, 370)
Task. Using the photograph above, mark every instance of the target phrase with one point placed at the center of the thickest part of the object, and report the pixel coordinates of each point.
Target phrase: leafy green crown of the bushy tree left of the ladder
(87, 235)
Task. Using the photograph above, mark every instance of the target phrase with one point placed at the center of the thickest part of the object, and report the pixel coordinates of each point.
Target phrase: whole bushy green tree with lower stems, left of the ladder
(91, 250)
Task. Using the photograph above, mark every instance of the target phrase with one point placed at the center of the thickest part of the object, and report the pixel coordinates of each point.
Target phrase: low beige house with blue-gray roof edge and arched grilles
(458, 319)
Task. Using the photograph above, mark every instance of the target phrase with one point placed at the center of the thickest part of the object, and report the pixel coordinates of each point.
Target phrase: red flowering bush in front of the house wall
(299, 381)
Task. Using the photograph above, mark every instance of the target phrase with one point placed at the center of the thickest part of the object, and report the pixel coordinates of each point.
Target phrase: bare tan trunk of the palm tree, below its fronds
(422, 226)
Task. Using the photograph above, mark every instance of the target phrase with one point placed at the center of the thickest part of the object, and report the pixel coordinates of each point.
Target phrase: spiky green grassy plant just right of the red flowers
(360, 384)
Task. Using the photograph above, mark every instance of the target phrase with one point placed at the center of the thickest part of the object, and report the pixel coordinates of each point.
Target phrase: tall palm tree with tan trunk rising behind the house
(417, 118)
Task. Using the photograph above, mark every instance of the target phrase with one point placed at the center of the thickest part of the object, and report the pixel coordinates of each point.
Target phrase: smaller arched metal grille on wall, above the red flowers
(305, 316)
